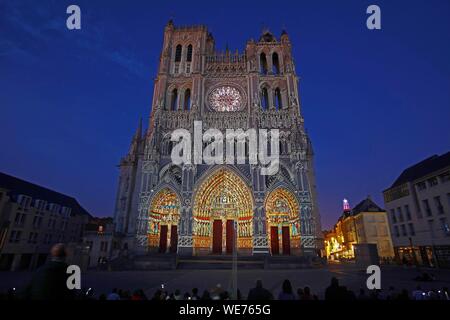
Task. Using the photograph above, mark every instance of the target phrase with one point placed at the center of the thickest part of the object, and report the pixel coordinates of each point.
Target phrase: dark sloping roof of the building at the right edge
(423, 168)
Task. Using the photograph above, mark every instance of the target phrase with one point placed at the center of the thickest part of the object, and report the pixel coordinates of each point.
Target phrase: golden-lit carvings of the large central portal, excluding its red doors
(223, 196)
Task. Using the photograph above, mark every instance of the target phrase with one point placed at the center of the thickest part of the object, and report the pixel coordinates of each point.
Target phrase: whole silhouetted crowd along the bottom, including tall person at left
(49, 283)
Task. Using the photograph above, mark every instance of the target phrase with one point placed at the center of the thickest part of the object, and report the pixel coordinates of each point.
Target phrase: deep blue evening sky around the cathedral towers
(374, 102)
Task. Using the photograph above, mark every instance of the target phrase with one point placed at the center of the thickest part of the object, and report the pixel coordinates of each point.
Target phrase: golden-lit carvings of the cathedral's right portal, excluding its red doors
(282, 209)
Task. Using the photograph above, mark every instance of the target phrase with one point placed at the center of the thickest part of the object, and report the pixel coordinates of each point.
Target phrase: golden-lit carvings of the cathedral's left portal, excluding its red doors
(164, 210)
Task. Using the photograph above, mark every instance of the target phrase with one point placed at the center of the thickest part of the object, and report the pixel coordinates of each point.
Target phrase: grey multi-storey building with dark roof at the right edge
(418, 206)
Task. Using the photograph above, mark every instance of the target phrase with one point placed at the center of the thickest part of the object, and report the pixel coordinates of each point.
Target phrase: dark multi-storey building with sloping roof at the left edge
(32, 220)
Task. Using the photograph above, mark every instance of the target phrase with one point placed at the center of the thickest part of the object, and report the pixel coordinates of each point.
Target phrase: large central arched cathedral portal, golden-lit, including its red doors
(220, 201)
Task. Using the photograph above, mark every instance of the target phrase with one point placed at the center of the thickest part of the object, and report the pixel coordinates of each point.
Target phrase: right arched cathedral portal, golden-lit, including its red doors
(283, 222)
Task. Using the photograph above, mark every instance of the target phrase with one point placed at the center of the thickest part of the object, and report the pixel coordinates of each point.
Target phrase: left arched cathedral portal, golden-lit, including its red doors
(164, 215)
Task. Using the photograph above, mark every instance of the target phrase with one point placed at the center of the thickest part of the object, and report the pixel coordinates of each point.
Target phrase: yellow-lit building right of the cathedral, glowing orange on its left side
(366, 223)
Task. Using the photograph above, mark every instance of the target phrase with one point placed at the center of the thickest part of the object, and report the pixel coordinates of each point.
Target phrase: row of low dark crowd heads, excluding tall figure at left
(334, 292)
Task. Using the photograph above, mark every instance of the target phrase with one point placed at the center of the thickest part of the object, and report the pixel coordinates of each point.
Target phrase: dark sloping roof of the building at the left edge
(18, 186)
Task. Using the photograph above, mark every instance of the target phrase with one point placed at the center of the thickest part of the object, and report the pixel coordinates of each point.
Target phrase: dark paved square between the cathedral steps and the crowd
(185, 280)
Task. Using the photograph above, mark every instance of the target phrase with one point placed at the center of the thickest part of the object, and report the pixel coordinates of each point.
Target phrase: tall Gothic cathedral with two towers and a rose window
(192, 209)
